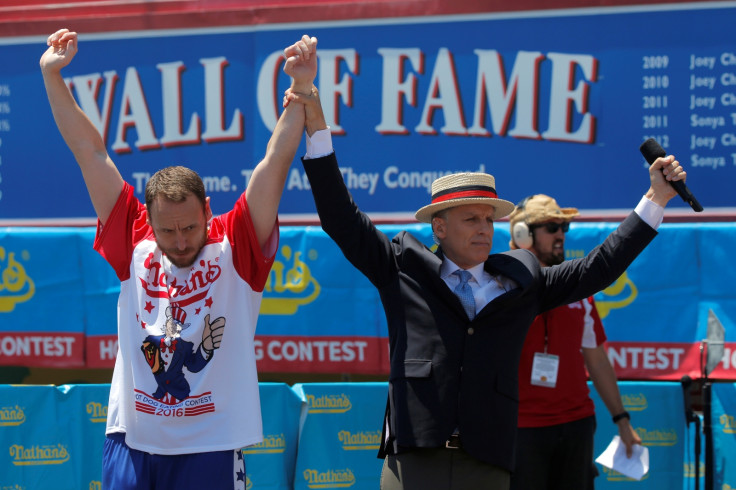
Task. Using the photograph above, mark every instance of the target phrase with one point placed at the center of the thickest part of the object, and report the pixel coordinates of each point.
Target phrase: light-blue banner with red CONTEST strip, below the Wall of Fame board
(58, 302)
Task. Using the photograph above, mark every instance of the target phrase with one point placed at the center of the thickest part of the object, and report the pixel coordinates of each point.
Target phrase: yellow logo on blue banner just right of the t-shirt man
(292, 282)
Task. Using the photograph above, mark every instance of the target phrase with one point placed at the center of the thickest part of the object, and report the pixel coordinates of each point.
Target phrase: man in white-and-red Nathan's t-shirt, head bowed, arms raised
(184, 394)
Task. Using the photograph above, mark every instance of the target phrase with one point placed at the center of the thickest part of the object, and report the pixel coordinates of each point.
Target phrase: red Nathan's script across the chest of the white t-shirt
(195, 288)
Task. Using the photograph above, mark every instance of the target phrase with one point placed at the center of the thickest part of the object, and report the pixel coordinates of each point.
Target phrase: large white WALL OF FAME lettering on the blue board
(514, 99)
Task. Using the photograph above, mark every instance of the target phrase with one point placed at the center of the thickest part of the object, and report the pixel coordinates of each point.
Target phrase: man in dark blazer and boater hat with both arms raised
(457, 317)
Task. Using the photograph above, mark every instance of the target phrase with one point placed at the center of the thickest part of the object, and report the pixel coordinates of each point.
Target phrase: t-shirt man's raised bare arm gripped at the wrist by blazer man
(267, 183)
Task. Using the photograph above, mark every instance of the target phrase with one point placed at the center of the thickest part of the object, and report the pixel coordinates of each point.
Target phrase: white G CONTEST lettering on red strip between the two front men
(312, 350)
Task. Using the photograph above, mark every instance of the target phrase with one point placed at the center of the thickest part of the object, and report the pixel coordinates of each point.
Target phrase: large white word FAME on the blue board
(518, 96)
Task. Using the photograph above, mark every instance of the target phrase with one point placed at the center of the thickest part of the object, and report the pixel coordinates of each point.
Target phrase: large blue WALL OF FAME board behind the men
(550, 101)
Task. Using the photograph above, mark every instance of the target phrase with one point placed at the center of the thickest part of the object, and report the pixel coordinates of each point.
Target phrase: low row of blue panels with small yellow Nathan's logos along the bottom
(326, 436)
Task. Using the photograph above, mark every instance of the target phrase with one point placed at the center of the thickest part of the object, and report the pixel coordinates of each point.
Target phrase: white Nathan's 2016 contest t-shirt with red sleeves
(168, 394)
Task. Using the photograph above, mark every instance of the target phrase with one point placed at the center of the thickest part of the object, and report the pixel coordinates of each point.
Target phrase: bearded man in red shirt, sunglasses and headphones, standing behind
(554, 443)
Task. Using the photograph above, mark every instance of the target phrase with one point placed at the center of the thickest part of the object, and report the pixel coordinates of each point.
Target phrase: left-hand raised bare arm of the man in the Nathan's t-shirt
(102, 178)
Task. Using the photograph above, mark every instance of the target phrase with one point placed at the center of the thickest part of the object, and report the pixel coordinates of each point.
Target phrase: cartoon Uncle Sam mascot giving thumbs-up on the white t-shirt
(168, 354)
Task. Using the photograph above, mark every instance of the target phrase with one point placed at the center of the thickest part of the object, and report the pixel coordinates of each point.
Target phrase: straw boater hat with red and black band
(464, 188)
